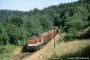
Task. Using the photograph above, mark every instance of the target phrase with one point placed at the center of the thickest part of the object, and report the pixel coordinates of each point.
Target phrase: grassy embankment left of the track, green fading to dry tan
(8, 51)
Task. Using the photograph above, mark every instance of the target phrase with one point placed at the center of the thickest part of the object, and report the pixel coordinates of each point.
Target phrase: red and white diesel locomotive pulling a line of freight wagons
(38, 41)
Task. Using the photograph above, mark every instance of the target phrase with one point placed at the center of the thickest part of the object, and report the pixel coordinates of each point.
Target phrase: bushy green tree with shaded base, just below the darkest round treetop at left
(13, 32)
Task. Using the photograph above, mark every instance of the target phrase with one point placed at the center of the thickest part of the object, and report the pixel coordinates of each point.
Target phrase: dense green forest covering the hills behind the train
(19, 25)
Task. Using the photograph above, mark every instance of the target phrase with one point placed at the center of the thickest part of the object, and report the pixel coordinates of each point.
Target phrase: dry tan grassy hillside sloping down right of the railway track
(70, 48)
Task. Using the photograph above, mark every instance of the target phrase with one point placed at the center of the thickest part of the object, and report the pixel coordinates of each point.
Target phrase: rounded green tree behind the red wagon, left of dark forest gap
(46, 22)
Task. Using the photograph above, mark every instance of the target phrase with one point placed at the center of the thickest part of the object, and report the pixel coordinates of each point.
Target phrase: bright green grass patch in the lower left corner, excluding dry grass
(6, 51)
